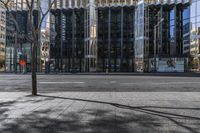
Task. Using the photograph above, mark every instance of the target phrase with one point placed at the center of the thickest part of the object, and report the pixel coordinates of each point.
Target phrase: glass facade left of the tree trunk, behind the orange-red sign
(17, 46)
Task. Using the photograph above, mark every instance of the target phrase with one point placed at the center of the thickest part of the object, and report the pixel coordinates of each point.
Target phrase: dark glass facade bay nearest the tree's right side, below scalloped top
(67, 52)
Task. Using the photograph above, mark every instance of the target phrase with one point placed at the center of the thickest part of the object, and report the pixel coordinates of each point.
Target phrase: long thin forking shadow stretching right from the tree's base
(177, 119)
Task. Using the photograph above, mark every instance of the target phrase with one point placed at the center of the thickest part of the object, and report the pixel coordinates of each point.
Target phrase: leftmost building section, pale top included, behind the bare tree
(17, 43)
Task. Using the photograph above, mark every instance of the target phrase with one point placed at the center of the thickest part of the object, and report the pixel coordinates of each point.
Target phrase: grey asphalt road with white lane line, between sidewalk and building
(101, 83)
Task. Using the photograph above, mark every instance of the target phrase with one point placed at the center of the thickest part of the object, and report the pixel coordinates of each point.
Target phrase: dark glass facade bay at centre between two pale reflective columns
(115, 39)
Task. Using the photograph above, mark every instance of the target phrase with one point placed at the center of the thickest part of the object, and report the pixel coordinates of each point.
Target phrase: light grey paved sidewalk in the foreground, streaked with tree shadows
(100, 112)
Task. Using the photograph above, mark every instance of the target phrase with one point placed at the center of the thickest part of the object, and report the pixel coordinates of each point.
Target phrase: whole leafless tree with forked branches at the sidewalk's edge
(34, 29)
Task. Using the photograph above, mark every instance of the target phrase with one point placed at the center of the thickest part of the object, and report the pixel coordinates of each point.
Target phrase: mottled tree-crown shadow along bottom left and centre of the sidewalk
(73, 122)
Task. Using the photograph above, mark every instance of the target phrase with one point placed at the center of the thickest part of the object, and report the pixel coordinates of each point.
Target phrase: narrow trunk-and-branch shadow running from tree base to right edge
(148, 110)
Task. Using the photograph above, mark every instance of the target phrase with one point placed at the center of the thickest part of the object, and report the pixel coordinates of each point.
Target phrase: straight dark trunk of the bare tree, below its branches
(33, 69)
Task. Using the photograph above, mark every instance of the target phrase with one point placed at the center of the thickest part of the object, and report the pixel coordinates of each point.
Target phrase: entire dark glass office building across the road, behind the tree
(118, 36)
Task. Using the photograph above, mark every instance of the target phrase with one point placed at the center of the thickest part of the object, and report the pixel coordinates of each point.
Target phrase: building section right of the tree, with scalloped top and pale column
(73, 36)
